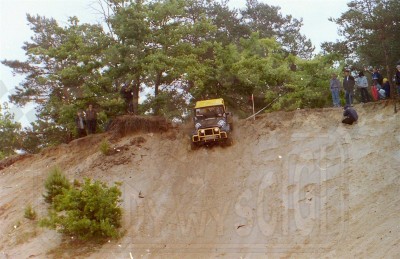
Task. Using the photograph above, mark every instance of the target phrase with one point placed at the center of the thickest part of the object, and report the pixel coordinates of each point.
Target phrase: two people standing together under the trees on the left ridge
(86, 122)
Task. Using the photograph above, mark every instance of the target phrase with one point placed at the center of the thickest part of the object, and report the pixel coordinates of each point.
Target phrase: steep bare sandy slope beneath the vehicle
(294, 184)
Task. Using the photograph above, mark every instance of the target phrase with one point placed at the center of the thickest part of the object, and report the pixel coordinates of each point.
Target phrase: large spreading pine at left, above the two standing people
(61, 76)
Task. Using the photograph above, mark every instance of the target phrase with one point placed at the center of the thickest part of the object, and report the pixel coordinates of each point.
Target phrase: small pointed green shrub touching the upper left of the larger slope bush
(55, 184)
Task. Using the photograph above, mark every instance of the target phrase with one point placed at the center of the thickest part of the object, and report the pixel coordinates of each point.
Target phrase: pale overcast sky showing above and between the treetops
(14, 30)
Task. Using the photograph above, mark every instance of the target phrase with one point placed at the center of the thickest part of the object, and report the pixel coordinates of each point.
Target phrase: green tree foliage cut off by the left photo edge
(9, 131)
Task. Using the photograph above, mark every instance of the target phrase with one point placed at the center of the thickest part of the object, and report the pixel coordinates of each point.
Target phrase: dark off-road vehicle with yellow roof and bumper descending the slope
(212, 124)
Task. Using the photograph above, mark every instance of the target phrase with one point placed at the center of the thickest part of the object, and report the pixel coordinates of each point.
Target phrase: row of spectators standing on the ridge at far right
(380, 86)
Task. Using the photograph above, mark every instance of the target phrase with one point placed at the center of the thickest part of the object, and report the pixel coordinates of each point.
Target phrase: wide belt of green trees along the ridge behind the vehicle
(179, 50)
